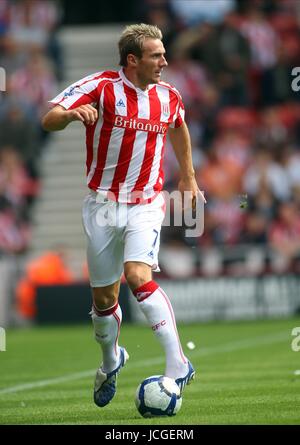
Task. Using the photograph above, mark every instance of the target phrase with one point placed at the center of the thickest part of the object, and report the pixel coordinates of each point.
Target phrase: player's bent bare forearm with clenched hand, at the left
(58, 117)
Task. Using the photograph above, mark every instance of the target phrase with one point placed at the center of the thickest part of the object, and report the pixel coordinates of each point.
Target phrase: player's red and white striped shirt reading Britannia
(125, 146)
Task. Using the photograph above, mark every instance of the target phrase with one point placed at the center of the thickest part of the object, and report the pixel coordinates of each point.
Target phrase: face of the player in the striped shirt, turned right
(150, 66)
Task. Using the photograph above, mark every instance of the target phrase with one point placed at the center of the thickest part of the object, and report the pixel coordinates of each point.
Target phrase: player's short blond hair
(132, 40)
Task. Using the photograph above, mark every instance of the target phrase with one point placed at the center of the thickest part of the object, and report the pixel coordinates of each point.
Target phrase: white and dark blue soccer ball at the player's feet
(158, 396)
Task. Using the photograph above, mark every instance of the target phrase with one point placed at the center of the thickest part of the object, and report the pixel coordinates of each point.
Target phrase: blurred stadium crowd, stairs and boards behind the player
(232, 61)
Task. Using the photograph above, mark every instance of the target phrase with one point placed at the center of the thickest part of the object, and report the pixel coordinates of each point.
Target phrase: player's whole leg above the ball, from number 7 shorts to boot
(140, 257)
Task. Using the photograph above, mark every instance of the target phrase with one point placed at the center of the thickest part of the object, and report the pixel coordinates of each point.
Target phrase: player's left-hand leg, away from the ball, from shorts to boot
(105, 264)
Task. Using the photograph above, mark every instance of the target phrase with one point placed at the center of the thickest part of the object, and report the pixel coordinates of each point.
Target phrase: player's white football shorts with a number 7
(117, 233)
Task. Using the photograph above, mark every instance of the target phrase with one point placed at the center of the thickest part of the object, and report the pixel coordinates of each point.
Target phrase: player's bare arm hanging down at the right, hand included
(181, 143)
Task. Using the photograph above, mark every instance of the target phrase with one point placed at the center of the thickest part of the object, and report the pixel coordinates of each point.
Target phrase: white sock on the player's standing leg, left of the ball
(107, 329)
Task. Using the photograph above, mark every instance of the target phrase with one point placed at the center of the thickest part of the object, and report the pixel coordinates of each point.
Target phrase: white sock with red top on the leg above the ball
(158, 311)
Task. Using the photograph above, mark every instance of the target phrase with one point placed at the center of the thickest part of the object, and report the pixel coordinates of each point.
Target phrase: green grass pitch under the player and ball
(245, 374)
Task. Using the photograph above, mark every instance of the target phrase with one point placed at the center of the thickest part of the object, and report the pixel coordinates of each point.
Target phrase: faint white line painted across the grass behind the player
(233, 346)
